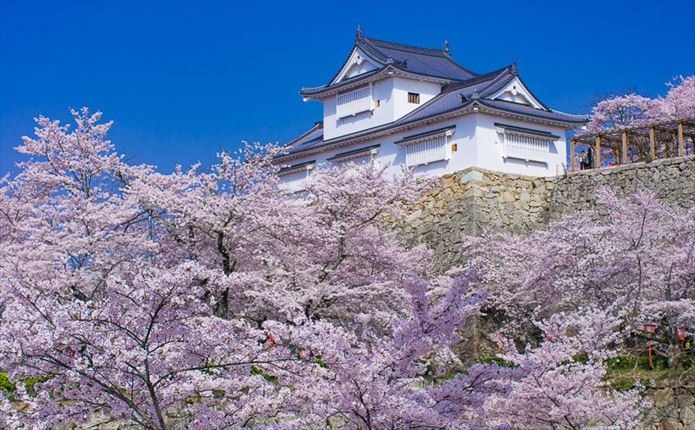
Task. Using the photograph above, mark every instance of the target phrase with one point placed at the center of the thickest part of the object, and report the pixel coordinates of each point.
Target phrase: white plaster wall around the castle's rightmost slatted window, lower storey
(489, 148)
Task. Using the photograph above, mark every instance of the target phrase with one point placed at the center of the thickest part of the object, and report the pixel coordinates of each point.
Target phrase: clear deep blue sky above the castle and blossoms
(183, 80)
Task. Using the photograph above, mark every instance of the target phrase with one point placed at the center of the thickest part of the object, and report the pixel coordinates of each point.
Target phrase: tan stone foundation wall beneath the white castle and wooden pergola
(476, 201)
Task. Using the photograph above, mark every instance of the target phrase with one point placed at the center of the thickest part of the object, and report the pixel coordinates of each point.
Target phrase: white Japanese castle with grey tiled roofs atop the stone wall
(395, 105)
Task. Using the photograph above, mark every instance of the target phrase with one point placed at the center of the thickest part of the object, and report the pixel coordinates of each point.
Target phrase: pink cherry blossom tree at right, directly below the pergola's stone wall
(631, 257)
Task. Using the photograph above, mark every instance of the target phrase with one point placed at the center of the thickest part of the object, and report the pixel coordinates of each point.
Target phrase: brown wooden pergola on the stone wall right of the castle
(642, 143)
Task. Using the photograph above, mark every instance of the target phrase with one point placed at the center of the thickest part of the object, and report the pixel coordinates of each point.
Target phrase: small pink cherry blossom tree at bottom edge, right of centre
(552, 389)
